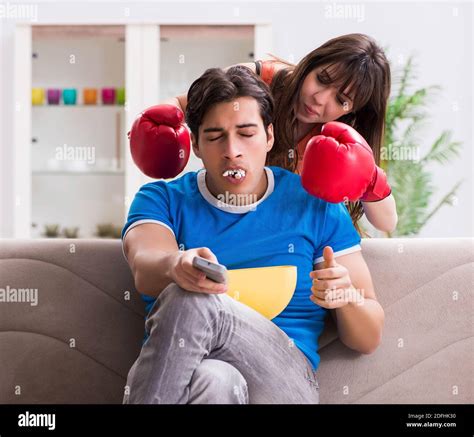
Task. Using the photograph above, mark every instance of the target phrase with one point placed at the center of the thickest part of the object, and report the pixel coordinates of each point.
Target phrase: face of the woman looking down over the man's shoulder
(319, 102)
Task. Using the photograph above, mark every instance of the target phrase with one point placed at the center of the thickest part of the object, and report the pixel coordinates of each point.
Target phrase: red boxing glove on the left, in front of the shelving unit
(159, 142)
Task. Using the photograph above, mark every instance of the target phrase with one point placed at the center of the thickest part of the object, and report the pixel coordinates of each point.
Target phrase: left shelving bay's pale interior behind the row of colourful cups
(77, 150)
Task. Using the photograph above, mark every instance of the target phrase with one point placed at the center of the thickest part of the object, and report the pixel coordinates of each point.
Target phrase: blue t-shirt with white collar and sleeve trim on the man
(287, 226)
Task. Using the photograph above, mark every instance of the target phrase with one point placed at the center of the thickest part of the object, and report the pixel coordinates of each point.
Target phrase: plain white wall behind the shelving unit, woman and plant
(439, 33)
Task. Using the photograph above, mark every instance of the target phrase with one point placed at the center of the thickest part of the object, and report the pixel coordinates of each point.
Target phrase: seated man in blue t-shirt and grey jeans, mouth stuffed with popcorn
(202, 346)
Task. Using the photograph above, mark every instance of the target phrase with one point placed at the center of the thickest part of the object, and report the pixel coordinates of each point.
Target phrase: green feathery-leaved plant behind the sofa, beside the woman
(410, 178)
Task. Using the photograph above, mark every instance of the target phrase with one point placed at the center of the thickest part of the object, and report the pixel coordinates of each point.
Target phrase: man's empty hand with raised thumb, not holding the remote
(332, 286)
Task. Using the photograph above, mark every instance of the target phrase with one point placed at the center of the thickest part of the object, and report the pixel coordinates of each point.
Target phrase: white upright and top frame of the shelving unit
(142, 67)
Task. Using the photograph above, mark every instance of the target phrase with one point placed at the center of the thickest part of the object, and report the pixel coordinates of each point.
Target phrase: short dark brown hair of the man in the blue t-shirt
(218, 86)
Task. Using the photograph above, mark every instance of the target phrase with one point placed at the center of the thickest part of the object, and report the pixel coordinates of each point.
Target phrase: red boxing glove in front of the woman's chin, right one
(338, 165)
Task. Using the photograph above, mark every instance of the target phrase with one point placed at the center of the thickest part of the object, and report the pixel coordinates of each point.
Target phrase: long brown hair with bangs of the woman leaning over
(359, 66)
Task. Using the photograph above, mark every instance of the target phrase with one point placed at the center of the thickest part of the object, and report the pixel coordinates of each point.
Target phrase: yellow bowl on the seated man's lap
(267, 290)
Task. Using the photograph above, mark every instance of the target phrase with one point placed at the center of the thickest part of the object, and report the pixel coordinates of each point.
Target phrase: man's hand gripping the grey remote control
(189, 278)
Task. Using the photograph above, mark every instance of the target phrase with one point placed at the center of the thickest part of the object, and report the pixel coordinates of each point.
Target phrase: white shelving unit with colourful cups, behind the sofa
(78, 195)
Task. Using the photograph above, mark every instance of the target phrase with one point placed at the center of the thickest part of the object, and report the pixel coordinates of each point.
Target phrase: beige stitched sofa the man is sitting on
(77, 344)
